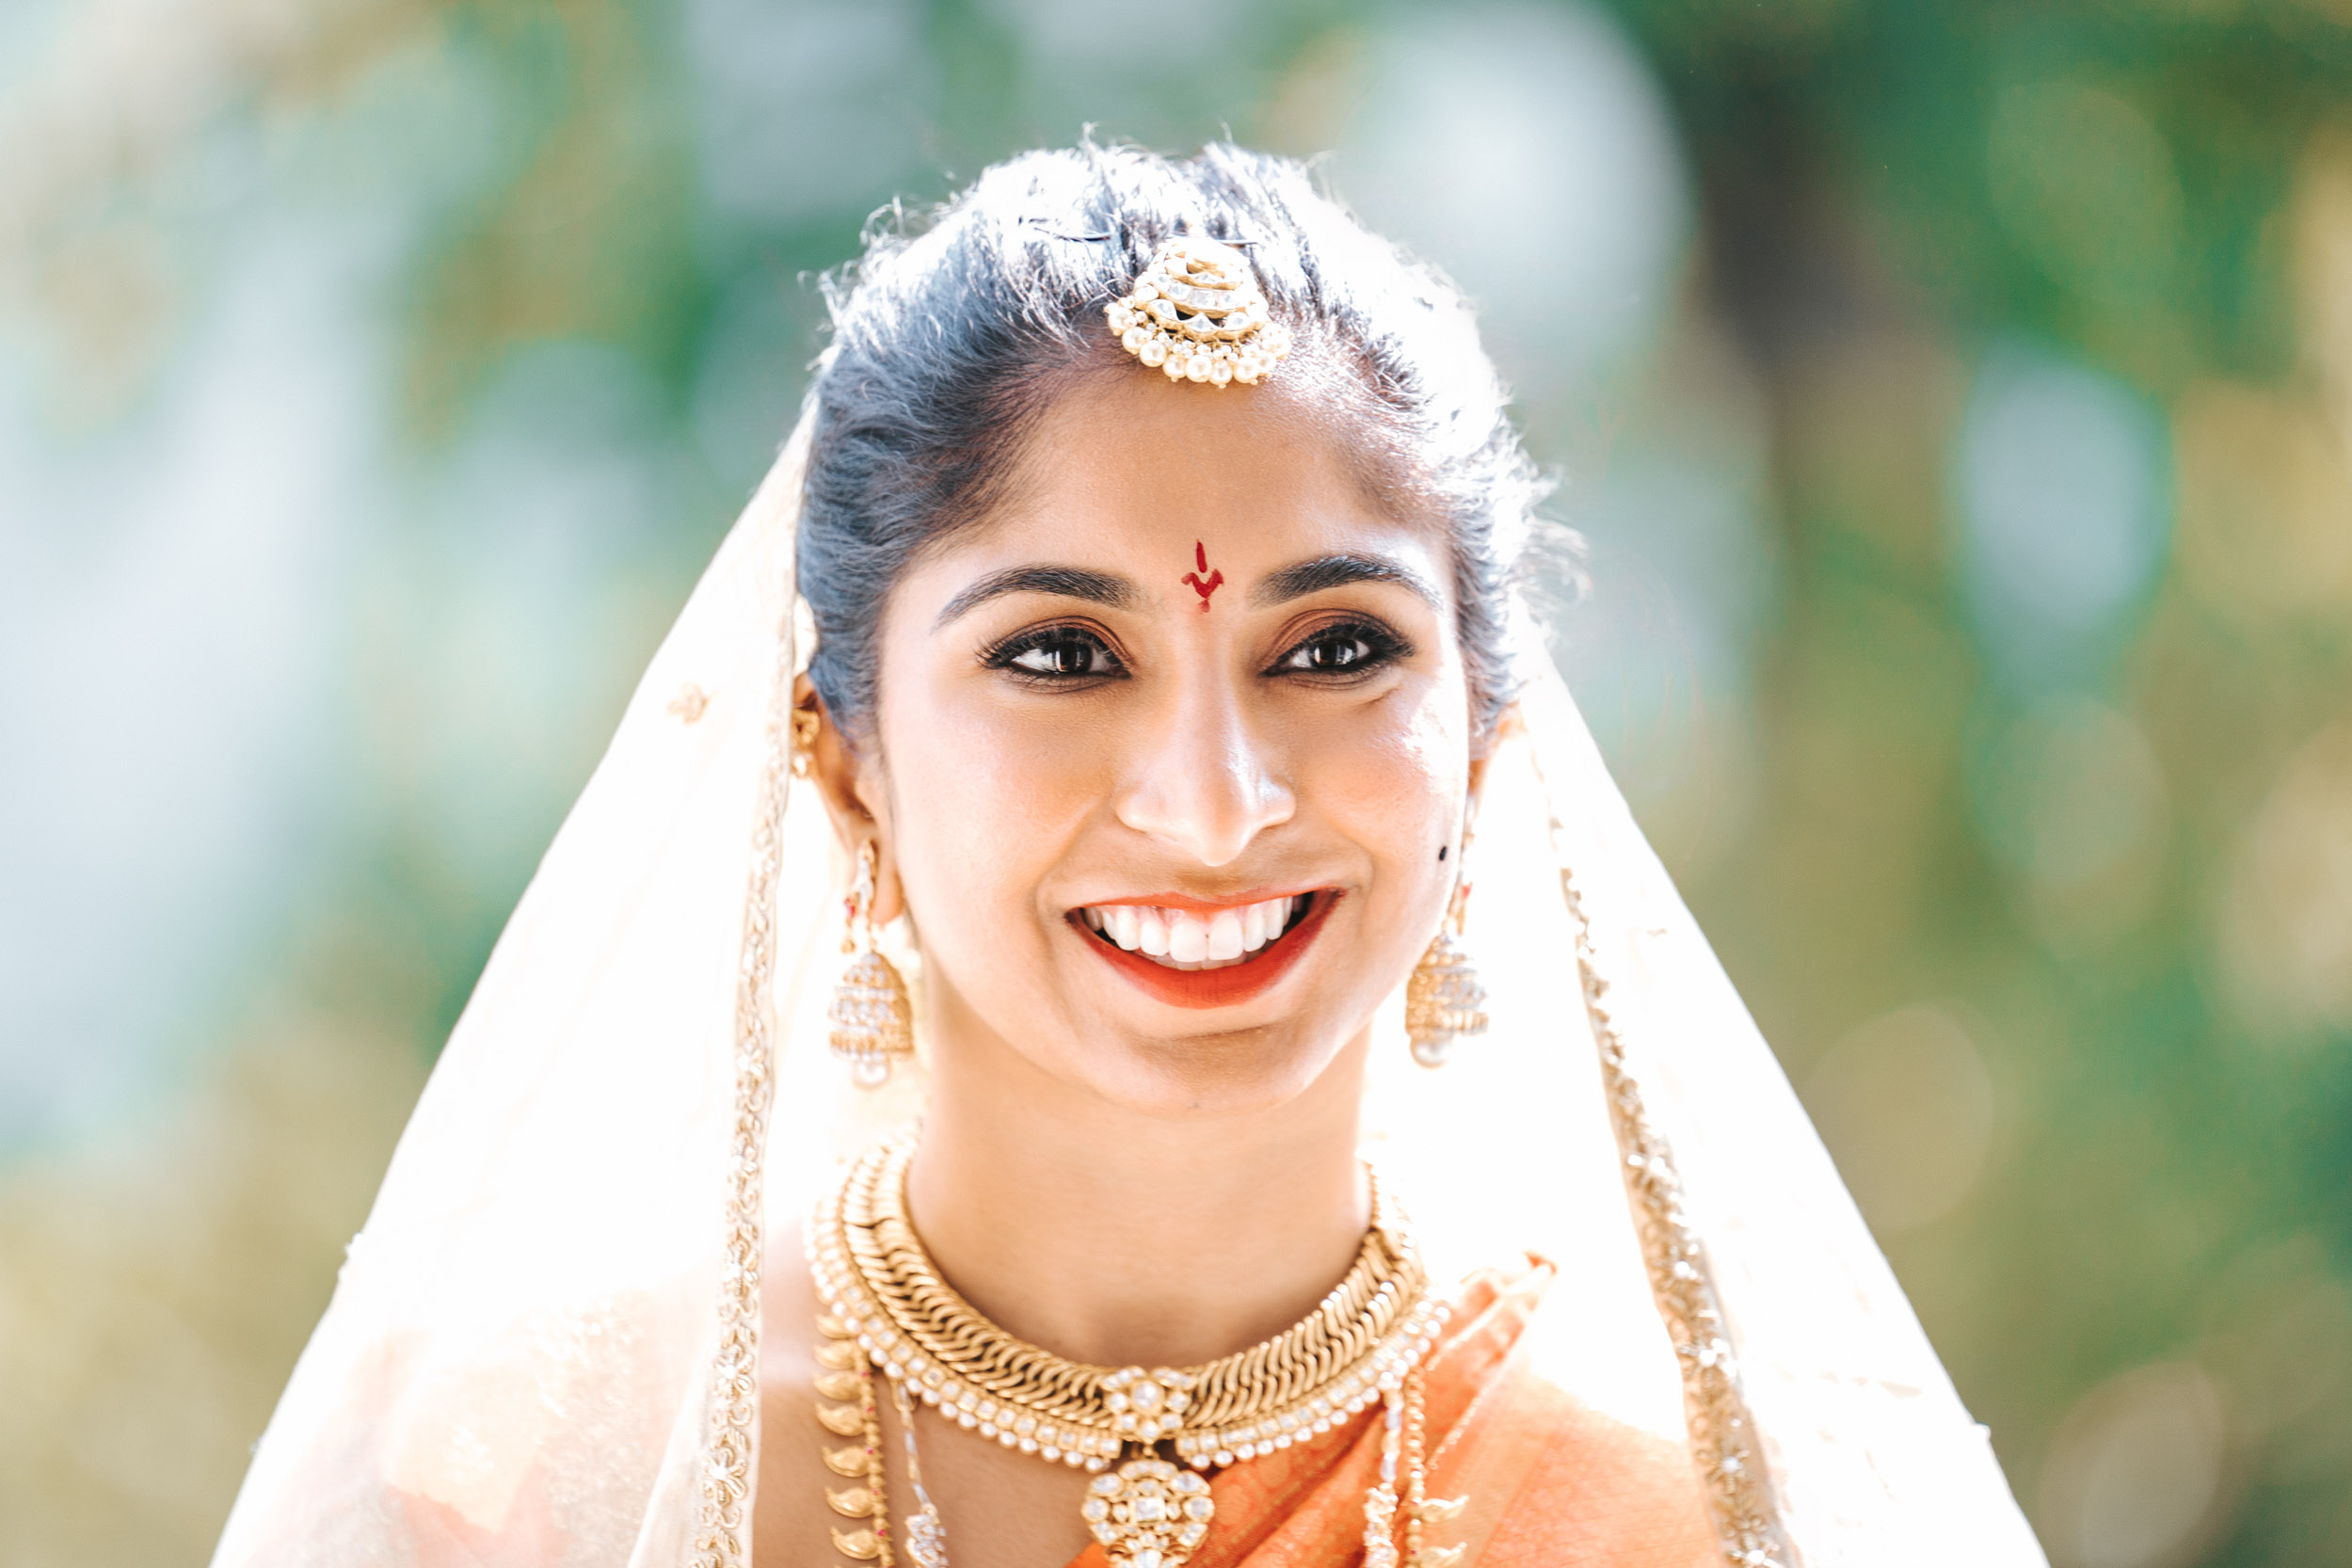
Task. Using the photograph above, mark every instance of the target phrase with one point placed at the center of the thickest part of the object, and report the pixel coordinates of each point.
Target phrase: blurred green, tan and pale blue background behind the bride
(1956, 398)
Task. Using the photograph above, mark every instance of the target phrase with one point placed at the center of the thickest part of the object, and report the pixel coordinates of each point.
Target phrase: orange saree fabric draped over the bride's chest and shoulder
(1549, 1480)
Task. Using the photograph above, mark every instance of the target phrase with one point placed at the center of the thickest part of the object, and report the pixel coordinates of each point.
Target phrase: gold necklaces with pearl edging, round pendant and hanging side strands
(888, 1308)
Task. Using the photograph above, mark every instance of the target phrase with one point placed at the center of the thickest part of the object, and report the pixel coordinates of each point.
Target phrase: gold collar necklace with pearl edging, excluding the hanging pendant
(878, 1282)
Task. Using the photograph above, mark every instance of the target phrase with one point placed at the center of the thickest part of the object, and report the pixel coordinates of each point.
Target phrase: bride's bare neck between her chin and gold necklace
(1118, 1238)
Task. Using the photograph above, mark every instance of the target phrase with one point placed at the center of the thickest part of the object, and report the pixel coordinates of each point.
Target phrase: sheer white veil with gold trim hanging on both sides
(544, 1343)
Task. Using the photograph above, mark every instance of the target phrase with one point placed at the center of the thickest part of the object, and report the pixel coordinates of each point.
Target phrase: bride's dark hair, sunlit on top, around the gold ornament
(956, 333)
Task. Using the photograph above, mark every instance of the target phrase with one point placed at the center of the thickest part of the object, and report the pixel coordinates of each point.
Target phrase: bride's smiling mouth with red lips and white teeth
(1252, 944)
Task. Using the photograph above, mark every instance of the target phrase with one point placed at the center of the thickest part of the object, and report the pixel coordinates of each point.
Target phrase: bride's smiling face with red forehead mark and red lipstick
(1172, 751)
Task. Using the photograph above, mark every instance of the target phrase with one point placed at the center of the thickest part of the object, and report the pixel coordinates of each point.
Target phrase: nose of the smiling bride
(1203, 784)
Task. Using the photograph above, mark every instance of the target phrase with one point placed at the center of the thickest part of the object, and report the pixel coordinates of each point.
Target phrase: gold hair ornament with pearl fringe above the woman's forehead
(1201, 316)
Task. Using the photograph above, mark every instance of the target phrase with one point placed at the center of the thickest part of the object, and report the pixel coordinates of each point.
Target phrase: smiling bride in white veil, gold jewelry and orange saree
(944, 1094)
